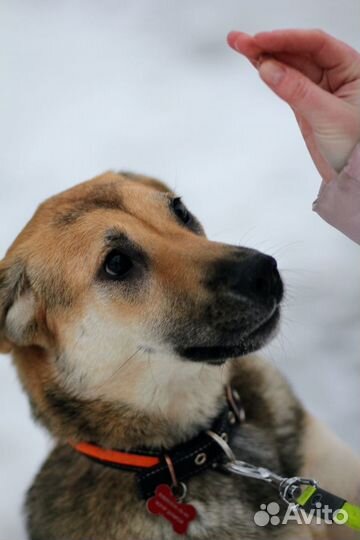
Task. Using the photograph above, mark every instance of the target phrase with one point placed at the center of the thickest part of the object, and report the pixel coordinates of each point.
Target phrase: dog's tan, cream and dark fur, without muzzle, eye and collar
(94, 368)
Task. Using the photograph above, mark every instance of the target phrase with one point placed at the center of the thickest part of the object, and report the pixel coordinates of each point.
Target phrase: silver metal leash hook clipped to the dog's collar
(289, 488)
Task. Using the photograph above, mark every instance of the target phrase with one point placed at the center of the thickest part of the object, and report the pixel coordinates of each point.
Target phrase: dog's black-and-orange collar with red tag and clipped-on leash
(161, 475)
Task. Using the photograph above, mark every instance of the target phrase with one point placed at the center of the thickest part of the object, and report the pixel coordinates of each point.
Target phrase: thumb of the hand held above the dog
(308, 99)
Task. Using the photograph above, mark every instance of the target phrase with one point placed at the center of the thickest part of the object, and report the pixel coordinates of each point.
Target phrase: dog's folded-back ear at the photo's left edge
(18, 324)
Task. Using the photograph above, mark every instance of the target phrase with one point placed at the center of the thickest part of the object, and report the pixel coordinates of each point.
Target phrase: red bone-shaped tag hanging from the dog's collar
(164, 504)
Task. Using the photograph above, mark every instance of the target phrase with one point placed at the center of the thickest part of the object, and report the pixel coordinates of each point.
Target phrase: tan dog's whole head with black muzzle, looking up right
(115, 277)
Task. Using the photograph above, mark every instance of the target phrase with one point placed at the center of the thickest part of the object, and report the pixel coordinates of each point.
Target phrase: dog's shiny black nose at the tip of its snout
(257, 276)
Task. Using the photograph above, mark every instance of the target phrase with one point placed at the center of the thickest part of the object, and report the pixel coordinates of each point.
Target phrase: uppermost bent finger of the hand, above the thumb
(328, 51)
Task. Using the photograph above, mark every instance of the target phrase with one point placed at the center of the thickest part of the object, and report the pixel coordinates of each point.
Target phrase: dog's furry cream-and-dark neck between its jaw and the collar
(164, 407)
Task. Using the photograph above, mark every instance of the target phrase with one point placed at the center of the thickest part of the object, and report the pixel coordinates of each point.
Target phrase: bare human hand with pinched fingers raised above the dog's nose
(319, 77)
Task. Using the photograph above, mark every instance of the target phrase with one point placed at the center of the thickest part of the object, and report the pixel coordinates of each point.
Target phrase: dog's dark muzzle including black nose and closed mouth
(244, 309)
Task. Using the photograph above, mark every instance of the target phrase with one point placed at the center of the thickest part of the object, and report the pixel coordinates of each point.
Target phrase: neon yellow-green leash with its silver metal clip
(298, 492)
